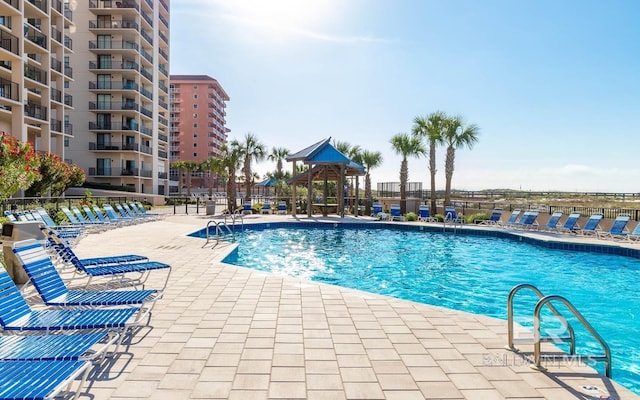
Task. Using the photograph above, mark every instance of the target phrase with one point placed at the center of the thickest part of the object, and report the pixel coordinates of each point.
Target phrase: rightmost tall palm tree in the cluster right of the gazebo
(456, 135)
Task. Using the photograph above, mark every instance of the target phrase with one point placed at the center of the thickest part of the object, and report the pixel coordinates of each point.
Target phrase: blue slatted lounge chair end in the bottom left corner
(41, 379)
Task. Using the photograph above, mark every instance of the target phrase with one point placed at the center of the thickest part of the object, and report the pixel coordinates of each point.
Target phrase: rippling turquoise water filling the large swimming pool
(463, 272)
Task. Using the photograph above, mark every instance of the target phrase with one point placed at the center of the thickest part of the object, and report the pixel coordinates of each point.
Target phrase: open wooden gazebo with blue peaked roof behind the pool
(325, 163)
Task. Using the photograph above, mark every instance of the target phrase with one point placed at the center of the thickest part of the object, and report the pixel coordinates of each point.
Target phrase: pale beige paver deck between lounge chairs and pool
(224, 332)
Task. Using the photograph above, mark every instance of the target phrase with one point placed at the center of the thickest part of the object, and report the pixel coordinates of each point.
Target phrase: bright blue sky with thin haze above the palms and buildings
(553, 85)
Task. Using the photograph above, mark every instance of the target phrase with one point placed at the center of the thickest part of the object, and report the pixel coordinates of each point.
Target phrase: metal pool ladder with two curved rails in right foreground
(538, 338)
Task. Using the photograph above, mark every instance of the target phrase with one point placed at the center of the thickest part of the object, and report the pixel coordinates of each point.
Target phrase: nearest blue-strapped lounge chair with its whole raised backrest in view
(53, 292)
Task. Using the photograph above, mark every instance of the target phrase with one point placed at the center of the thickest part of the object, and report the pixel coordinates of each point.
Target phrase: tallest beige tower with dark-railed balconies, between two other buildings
(121, 93)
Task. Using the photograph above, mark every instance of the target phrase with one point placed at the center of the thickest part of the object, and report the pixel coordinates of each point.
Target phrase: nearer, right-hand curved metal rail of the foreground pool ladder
(536, 332)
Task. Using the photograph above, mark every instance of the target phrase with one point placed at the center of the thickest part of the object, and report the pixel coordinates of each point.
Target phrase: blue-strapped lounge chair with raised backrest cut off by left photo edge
(17, 316)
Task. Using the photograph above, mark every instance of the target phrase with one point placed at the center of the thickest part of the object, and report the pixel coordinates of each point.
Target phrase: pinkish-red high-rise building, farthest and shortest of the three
(198, 128)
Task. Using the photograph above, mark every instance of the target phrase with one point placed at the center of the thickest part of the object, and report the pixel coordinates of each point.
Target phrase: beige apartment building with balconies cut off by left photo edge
(35, 72)
